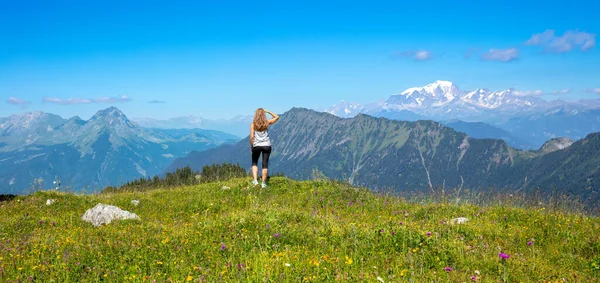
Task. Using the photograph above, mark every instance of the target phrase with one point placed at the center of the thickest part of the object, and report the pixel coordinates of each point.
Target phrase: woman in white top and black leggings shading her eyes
(260, 143)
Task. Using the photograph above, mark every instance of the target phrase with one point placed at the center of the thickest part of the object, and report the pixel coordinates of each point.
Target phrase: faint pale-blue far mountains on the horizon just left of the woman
(238, 125)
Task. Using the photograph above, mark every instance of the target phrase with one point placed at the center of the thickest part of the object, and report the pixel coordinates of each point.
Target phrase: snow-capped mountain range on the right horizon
(524, 115)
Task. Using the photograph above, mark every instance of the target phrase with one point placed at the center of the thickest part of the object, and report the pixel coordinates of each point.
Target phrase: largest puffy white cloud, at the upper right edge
(567, 42)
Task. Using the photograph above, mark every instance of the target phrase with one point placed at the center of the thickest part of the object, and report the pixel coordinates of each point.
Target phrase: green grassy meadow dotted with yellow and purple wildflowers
(293, 231)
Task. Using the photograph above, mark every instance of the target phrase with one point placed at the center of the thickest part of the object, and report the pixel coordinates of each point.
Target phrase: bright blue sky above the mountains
(219, 59)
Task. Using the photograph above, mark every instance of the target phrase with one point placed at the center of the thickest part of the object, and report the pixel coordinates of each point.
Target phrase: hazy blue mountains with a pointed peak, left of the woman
(108, 149)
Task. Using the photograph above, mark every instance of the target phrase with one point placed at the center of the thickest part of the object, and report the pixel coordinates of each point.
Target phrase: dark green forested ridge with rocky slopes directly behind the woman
(423, 155)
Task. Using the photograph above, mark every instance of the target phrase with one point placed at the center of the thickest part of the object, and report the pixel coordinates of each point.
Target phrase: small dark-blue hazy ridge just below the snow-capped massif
(480, 130)
